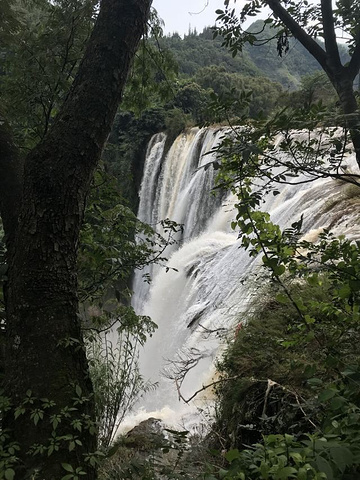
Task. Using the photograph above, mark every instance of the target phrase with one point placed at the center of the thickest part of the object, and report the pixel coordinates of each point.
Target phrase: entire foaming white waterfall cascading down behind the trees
(210, 287)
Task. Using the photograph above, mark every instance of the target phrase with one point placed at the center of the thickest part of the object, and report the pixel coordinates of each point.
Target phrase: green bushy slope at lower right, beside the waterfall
(293, 368)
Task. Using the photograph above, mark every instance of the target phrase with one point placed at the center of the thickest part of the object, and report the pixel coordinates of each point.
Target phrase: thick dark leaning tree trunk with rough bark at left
(46, 374)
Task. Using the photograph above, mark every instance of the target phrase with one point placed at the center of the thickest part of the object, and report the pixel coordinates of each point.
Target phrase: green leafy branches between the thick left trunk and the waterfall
(109, 251)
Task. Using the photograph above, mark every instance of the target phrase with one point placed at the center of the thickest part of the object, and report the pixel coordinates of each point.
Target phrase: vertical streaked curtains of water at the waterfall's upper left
(177, 187)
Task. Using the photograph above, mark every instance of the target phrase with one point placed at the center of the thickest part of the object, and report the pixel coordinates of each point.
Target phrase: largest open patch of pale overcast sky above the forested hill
(179, 14)
